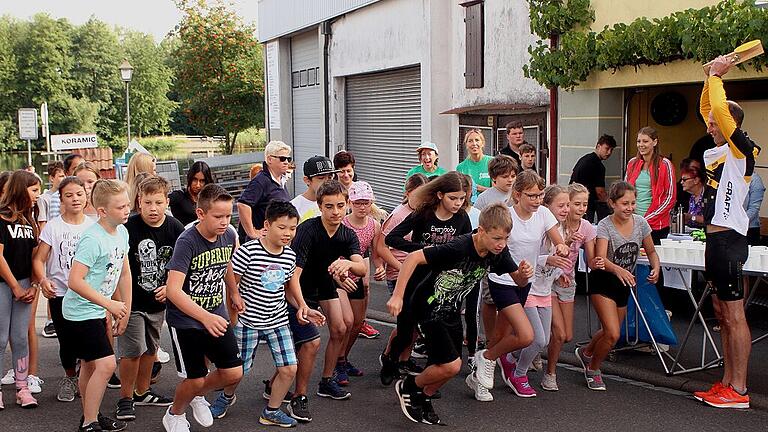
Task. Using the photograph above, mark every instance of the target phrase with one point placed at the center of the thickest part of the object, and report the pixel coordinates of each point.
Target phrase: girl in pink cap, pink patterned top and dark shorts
(353, 292)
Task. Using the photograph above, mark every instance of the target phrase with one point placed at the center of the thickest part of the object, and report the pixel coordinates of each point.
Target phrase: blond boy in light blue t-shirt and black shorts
(99, 268)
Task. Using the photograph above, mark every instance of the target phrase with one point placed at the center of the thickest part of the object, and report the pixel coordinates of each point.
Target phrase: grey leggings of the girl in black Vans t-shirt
(14, 322)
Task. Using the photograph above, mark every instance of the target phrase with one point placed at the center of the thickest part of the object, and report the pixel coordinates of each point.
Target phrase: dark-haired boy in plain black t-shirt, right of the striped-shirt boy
(325, 251)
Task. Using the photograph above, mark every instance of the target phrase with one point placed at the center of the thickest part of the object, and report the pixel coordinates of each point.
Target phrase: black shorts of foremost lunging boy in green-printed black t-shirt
(443, 338)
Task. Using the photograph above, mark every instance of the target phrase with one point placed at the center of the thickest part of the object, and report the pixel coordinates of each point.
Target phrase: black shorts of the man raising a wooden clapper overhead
(724, 258)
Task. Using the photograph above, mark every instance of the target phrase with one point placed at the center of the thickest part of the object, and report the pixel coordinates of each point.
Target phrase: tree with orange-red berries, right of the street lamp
(218, 70)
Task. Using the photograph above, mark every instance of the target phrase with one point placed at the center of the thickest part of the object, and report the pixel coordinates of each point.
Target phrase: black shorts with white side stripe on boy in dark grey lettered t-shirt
(192, 346)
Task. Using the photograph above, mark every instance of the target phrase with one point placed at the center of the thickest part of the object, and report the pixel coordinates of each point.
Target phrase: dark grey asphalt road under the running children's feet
(373, 407)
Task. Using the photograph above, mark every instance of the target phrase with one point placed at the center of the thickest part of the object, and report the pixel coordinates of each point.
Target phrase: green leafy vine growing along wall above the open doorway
(694, 34)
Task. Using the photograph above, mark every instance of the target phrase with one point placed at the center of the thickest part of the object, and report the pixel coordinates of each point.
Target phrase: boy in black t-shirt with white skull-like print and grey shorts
(151, 238)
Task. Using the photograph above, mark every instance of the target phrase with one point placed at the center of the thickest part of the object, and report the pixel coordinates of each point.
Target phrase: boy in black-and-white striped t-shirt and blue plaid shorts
(262, 269)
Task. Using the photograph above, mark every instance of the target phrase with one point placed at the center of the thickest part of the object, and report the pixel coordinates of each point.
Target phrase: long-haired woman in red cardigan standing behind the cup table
(653, 176)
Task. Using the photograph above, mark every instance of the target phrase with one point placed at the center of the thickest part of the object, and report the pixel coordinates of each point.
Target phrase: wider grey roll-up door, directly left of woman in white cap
(383, 121)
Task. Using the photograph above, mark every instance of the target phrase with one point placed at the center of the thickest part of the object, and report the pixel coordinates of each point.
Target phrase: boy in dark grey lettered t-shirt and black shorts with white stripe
(196, 313)
